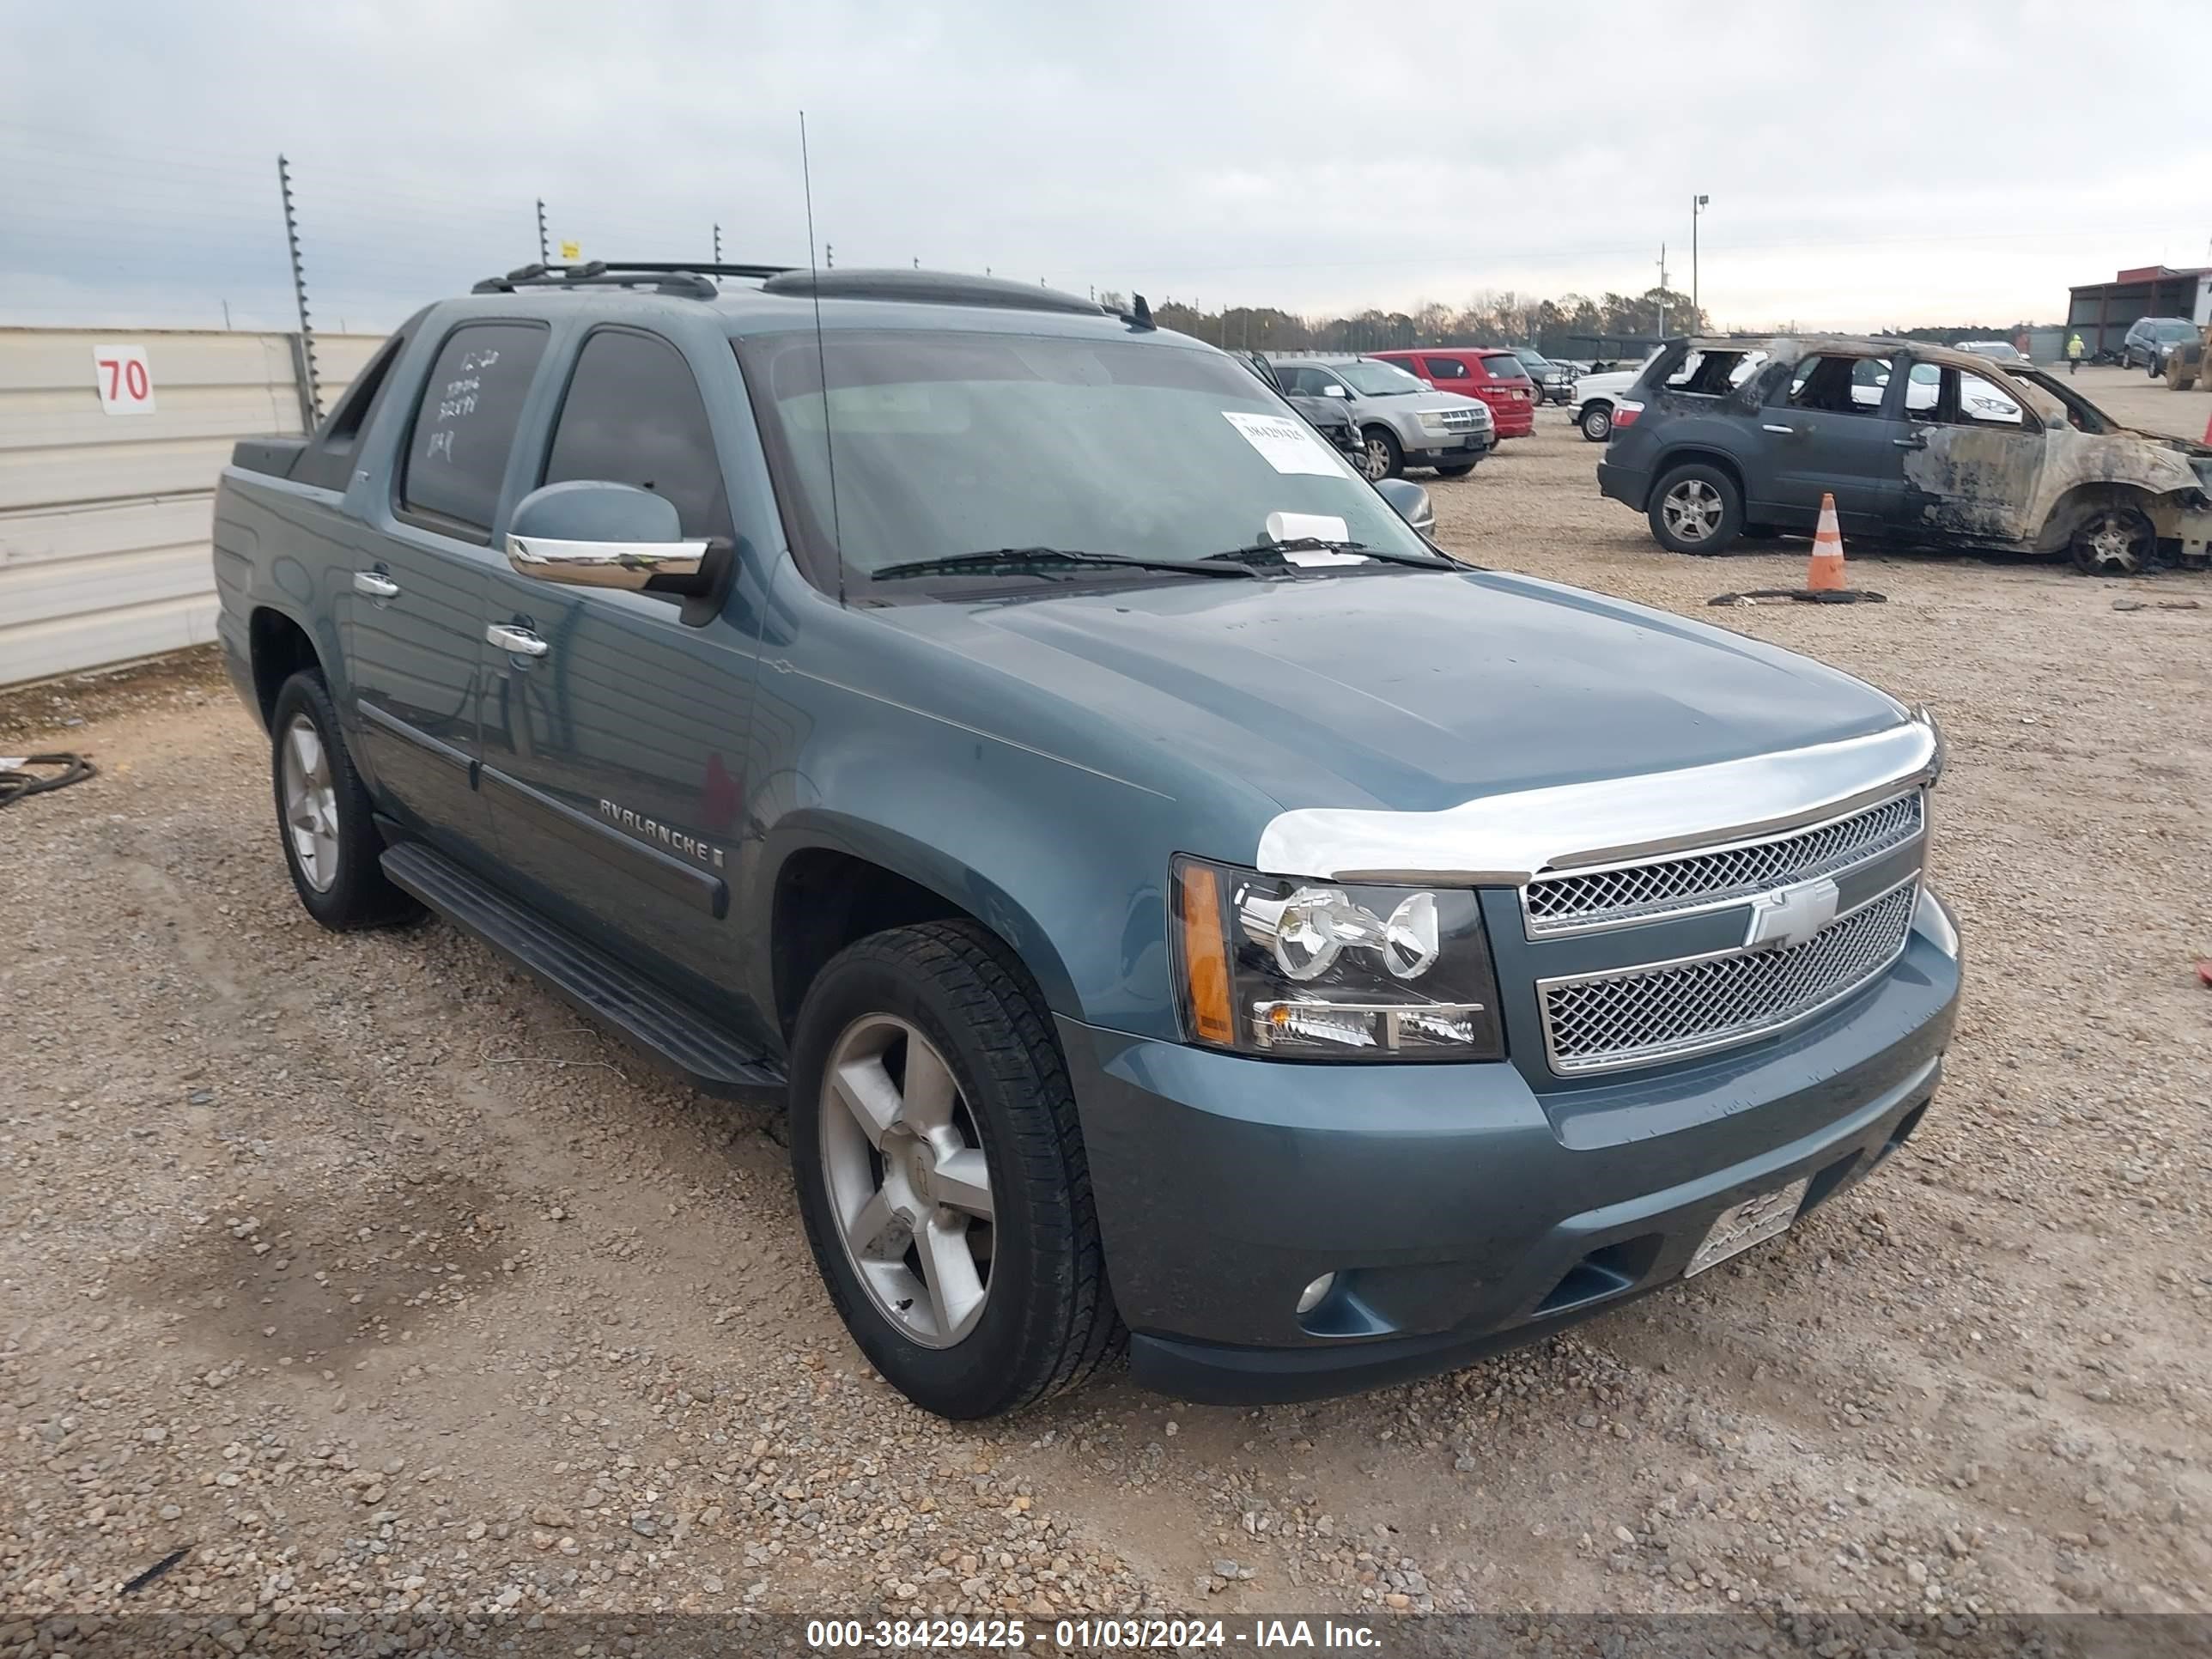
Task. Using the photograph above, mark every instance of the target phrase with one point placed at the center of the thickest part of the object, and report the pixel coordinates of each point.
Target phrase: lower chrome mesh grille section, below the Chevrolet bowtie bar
(1671, 1010)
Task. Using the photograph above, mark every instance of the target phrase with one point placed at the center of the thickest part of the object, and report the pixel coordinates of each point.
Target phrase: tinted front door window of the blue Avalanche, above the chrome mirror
(634, 417)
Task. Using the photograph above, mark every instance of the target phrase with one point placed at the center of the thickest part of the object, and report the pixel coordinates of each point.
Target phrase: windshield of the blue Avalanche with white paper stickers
(963, 444)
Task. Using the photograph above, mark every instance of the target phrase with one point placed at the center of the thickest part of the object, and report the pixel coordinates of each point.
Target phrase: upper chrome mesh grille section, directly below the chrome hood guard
(1585, 901)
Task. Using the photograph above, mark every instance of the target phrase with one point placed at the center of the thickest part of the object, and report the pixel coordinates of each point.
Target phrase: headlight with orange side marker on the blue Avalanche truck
(1306, 970)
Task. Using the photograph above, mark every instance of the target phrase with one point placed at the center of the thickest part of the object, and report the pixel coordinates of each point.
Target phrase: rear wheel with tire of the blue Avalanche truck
(324, 815)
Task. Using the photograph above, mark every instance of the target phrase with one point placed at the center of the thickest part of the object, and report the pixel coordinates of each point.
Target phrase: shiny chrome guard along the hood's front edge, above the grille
(1507, 839)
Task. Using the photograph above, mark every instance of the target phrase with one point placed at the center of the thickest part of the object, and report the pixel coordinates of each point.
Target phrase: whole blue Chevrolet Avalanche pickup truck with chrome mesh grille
(1180, 908)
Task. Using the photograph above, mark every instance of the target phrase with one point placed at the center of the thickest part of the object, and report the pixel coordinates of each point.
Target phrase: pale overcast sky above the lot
(1870, 165)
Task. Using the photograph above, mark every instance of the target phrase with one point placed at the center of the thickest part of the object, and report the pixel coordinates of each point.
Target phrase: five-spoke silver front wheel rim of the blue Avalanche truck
(910, 1185)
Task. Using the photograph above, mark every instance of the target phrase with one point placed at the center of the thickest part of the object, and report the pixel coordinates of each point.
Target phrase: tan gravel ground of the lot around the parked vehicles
(362, 1273)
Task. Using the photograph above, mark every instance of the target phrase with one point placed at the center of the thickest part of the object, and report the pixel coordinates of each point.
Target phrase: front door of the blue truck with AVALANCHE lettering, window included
(616, 760)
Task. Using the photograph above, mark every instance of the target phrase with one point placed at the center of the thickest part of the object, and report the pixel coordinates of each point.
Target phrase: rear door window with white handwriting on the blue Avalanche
(466, 426)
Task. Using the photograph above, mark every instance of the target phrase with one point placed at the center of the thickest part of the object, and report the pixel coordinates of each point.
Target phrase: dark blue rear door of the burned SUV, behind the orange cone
(1833, 426)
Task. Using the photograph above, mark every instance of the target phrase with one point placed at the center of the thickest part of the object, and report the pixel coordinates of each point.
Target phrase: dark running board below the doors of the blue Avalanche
(598, 985)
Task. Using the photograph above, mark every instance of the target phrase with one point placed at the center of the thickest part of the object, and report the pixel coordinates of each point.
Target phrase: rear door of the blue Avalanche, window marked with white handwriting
(415, 603)
